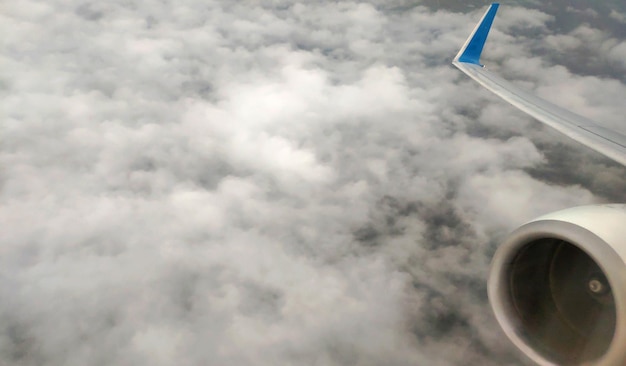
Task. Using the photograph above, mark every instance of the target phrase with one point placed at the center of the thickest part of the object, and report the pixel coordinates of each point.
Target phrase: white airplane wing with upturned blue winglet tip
(604, 140)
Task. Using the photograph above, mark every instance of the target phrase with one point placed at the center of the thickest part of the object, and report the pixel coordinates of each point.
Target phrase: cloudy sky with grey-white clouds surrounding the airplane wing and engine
(281, 183)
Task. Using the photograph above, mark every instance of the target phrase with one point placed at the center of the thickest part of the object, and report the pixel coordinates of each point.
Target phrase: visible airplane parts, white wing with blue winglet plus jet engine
(557, 285)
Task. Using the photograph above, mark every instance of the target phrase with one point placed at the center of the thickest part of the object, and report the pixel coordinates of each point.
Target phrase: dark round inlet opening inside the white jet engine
(563, 301)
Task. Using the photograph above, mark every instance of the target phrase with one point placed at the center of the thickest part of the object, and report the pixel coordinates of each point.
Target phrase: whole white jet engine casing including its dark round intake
(558, 287)
